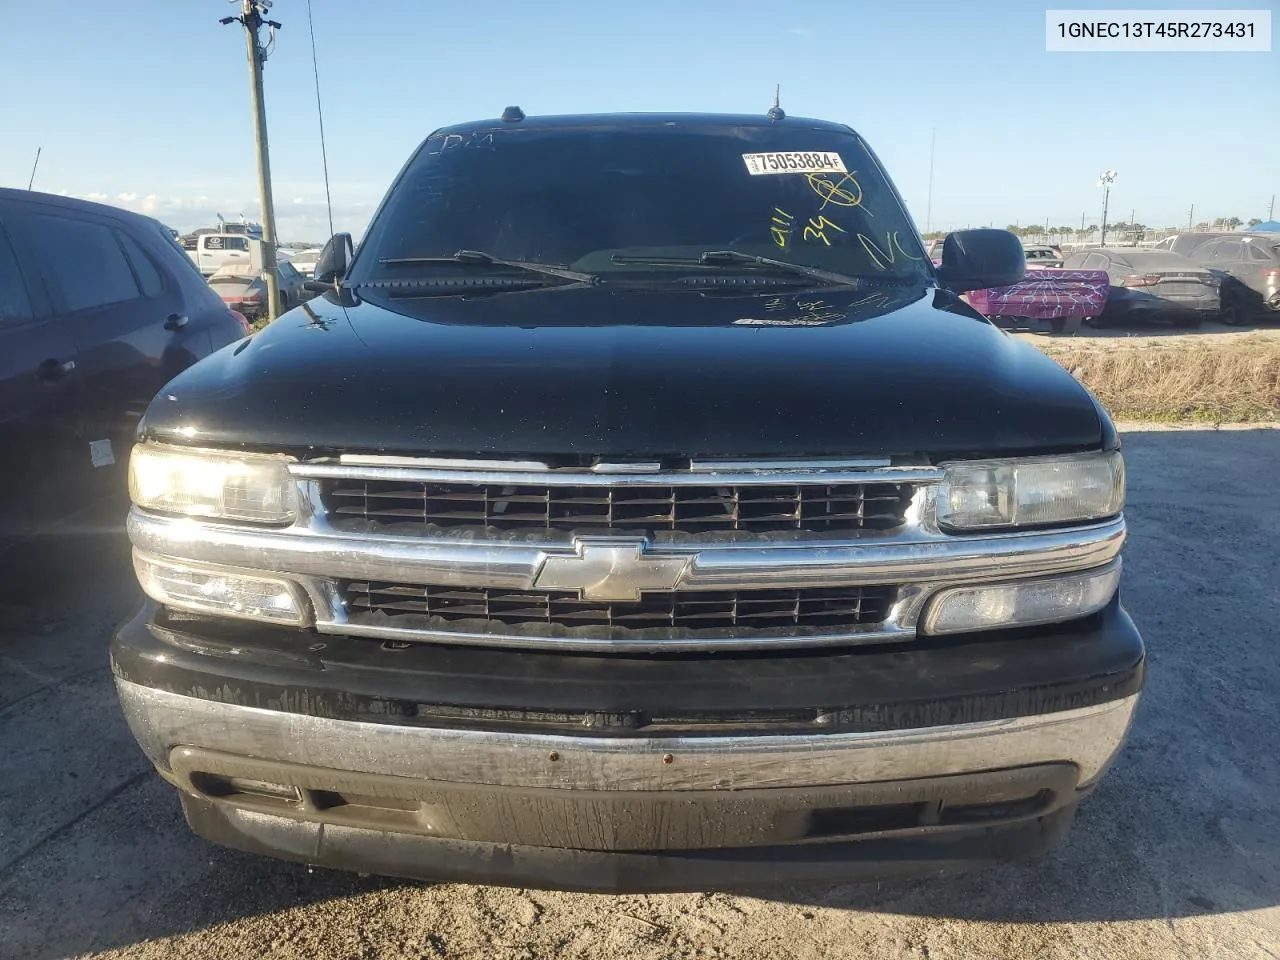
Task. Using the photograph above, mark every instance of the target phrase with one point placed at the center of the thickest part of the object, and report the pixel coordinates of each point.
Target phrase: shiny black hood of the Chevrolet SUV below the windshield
(600, 372)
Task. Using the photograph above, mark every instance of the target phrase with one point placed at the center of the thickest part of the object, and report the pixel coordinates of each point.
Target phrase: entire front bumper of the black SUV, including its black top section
(600, 772)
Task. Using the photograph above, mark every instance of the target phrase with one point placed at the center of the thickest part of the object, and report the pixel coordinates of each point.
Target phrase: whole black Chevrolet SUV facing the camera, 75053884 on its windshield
(639, 510)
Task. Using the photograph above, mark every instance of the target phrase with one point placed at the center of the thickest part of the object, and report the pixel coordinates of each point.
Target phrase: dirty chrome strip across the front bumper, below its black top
(1090, 738)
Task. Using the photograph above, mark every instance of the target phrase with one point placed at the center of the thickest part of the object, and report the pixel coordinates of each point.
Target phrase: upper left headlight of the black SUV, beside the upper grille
(213, 484)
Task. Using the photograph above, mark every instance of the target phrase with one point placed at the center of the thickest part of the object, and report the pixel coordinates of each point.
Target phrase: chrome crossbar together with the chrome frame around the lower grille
(916, 561)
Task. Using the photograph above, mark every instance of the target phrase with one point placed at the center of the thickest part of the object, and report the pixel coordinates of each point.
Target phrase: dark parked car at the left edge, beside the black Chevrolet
(99, 309)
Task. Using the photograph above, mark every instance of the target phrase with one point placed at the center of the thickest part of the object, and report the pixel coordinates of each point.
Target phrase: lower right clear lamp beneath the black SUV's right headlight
(1021, 605)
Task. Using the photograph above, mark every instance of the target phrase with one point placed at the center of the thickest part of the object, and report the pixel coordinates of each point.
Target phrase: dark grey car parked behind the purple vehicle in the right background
(1151, 285)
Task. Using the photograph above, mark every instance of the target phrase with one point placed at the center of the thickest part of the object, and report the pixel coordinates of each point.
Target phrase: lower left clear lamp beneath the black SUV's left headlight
(227, 593)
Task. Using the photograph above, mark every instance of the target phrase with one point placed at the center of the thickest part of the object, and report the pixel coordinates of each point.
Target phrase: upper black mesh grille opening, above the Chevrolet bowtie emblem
(703, 509)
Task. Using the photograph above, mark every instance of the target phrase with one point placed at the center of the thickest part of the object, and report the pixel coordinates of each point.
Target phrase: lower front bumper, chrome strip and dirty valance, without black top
(664, 813)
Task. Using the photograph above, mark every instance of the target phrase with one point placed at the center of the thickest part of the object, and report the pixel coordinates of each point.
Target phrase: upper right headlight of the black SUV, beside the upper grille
(1031, 492)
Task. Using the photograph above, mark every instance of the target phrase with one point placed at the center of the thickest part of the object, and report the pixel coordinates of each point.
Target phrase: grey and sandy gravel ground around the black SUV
(1177, 856)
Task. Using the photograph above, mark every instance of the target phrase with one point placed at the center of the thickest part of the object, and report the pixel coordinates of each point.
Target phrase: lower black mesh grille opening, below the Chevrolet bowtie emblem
(685, 610)
